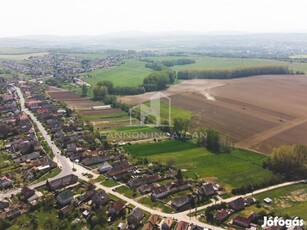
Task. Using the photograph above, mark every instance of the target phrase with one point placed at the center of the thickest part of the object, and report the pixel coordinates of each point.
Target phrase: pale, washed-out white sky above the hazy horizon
(98, 17)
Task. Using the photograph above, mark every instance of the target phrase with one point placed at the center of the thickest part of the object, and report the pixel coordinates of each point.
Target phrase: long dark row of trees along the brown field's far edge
(232, 73)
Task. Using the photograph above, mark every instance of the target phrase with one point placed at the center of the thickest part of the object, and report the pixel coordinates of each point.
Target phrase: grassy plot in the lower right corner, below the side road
(291, 200)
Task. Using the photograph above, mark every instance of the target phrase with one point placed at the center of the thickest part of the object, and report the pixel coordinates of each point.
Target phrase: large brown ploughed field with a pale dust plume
(258, 113)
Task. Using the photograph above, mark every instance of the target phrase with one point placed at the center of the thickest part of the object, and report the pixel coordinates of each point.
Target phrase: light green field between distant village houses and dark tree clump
(131, 73)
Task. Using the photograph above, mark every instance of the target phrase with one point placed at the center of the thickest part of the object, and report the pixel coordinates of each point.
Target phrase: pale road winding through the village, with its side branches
(66, 165)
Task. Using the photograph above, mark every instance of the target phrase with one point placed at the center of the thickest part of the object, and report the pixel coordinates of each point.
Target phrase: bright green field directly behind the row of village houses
(232, 169)
